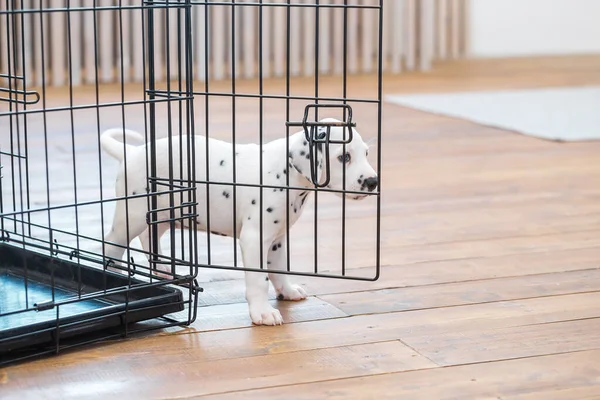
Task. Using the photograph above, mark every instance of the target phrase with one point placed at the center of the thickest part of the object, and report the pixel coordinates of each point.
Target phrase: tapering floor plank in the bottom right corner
(563, 376)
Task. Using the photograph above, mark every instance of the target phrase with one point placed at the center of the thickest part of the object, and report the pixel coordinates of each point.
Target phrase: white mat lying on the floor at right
(566, 114)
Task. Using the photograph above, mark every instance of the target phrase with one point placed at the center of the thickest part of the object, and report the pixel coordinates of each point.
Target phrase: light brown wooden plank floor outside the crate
(490, 285)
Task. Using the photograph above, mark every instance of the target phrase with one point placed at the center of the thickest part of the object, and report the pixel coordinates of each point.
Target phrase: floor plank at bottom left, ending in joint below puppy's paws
(128, 378)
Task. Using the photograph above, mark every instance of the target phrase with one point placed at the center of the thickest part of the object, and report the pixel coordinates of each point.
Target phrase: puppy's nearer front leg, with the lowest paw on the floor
(257, 284)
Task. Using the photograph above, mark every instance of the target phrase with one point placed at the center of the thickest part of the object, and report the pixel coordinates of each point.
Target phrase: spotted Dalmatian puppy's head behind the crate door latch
(347, 163)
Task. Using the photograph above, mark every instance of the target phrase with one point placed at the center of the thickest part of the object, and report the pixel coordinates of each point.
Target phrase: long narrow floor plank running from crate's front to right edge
(255, 341)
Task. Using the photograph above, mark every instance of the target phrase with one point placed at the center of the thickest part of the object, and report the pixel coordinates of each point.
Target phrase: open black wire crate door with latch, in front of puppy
(304, 209)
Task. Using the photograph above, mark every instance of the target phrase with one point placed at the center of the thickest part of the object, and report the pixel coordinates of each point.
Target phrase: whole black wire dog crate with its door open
(63, 281)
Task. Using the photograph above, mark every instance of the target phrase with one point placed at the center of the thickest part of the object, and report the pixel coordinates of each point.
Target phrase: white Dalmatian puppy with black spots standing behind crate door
(280, 162)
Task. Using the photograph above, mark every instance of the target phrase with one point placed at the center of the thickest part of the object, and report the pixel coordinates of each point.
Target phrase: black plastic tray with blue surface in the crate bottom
(23, 331)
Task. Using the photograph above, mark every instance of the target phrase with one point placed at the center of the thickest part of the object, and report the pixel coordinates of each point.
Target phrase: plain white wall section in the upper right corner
(504, 28)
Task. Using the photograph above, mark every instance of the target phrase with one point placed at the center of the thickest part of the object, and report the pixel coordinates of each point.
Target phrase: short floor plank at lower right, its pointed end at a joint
(482, 345)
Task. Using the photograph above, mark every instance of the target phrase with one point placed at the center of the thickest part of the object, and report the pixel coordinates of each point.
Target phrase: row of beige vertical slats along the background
(416, 33)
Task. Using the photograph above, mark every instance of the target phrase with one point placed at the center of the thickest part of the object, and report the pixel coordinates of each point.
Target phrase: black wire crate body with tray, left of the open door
(61, 273)
